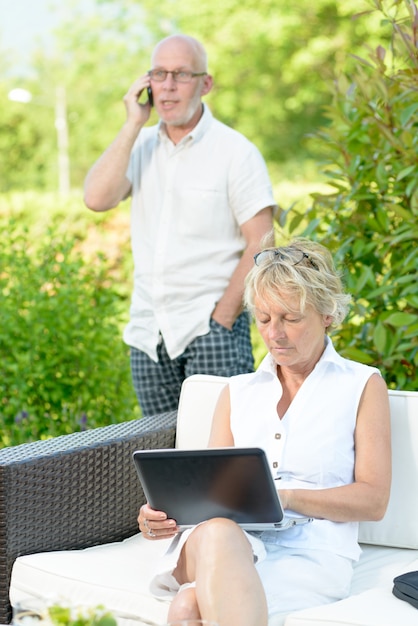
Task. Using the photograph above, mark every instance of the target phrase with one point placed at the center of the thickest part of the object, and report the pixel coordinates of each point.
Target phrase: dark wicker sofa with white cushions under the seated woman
(68, 510)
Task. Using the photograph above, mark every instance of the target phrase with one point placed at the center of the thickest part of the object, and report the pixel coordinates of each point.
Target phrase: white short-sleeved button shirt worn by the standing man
(188, 203)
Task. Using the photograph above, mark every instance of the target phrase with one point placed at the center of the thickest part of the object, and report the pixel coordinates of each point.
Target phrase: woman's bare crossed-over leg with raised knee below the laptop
(218, 556)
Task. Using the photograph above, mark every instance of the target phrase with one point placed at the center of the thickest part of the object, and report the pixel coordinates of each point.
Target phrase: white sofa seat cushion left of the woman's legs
(115, 575)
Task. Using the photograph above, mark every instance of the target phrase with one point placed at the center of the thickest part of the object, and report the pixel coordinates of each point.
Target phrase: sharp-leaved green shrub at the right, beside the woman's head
(370, 219)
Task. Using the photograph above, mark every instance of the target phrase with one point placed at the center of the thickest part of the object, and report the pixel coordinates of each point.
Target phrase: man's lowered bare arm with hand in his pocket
(230, 305)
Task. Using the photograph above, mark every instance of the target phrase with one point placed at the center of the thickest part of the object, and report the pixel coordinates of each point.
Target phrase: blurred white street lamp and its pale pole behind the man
(23, 95)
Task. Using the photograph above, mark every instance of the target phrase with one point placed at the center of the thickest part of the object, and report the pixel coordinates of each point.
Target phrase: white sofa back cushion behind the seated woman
(399, 527)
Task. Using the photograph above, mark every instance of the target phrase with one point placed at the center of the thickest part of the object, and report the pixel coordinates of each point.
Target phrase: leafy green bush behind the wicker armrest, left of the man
(63, 366)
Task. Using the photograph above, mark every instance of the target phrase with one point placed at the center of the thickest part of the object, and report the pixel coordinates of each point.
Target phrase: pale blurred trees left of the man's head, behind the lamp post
(95, 59)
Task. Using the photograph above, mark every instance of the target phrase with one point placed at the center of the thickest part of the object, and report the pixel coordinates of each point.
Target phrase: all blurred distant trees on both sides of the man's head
(270, 61)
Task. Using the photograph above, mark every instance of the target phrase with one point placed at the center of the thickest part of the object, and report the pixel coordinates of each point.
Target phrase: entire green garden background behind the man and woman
(328, 92)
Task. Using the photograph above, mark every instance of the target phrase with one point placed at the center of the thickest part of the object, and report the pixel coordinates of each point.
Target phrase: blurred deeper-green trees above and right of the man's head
(270, 61)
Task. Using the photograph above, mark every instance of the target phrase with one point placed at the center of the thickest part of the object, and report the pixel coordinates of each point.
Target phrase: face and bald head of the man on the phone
(178, 104)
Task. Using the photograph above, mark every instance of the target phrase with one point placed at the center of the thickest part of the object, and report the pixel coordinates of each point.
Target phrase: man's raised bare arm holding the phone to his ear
(106, 183)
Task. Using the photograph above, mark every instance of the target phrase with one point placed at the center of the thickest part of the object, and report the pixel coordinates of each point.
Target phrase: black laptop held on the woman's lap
(192, 486)
